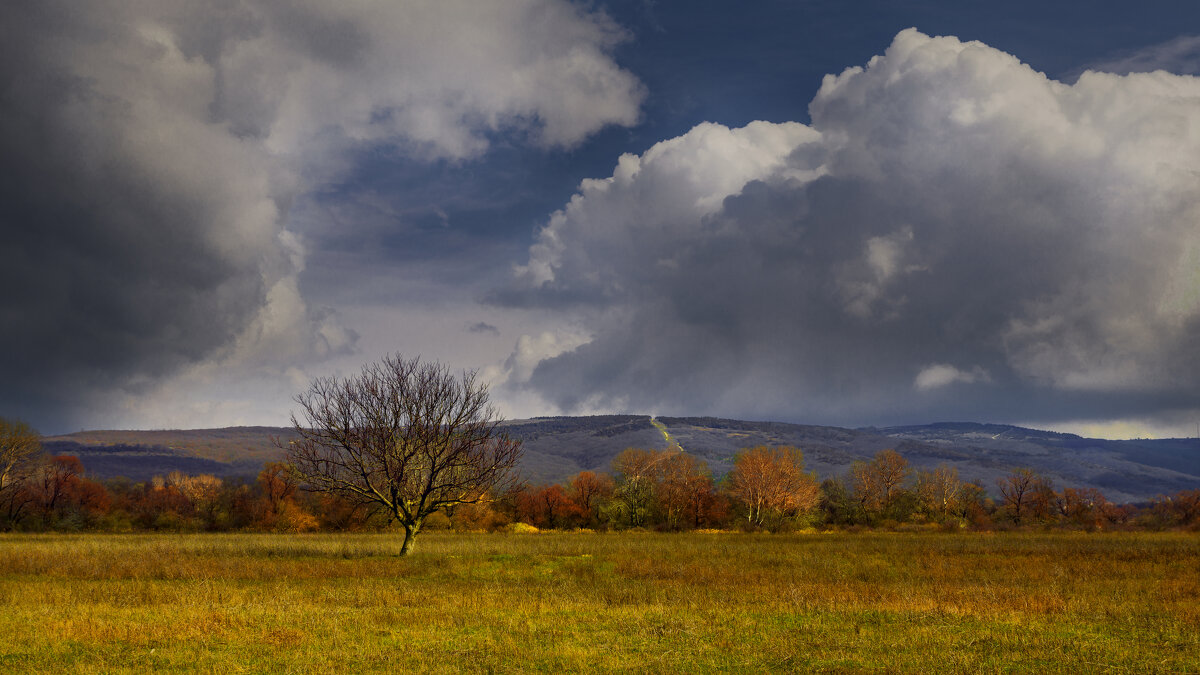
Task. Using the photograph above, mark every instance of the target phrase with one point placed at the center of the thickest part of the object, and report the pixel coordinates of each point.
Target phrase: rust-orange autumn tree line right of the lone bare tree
(769, 489)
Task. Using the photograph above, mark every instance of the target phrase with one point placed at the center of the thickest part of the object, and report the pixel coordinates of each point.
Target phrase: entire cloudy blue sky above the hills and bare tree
(819, 212)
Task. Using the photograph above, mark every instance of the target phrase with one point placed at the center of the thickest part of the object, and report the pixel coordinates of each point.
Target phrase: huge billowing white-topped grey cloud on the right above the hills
(953, 231)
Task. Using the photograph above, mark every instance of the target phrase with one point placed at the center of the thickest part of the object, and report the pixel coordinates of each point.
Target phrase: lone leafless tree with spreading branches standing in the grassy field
(406, 437)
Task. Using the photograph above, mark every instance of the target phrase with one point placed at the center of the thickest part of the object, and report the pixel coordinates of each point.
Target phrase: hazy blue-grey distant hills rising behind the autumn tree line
(560, 447)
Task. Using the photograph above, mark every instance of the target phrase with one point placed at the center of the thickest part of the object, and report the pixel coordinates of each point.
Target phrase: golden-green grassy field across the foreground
(593, 602)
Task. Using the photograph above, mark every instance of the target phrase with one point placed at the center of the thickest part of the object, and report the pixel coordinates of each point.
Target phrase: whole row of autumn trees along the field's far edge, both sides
(669, 491)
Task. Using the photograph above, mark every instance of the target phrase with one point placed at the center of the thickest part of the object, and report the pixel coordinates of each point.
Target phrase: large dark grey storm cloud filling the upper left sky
(152, 152)
